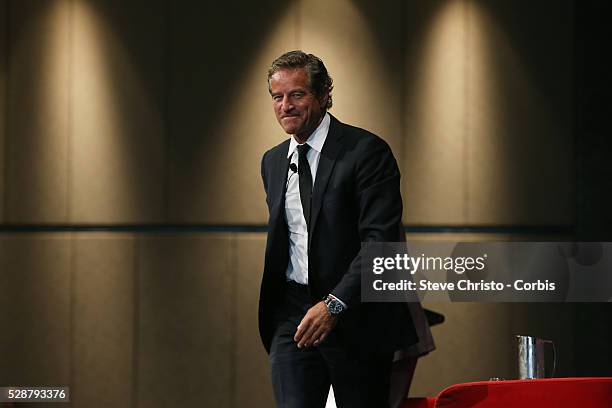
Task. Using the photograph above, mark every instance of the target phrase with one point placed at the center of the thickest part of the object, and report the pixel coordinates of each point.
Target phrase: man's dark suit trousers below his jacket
(301, 377)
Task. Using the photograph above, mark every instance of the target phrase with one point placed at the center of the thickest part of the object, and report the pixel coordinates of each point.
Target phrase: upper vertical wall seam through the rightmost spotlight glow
(466, 107)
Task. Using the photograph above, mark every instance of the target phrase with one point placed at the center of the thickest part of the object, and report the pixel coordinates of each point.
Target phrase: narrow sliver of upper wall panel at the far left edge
(3, 100)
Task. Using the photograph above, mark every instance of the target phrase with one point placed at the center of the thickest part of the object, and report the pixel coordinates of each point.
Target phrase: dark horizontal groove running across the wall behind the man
(240, 228)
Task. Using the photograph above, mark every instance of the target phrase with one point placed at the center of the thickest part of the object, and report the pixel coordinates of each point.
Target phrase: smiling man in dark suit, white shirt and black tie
(329, 187)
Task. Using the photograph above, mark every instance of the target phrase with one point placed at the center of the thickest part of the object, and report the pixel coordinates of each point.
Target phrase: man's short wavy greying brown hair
(318, 79)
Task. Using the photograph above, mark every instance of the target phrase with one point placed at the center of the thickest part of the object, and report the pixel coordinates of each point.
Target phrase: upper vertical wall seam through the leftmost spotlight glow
(70, 113)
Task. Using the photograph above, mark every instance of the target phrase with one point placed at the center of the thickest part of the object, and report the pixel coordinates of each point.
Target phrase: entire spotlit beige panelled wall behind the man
(132, 212)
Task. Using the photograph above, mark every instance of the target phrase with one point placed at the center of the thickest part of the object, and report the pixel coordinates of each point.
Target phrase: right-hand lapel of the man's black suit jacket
(329, 153)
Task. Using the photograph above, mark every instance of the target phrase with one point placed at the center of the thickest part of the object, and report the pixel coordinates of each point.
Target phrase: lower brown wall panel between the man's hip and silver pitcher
(475, 343)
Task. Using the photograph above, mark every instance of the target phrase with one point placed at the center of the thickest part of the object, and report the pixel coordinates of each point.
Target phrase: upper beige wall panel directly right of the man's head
(360, 43)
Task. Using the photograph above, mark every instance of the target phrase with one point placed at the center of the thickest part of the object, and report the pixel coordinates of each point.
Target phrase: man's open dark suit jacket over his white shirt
(356, 198)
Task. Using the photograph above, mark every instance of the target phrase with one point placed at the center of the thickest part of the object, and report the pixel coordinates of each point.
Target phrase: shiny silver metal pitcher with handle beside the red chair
(531, 357)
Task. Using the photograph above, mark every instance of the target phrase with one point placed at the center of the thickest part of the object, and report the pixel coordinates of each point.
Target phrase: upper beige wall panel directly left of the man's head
(220, 114)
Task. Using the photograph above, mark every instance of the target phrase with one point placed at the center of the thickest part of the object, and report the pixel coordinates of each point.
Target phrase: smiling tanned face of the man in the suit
(297, 109)
